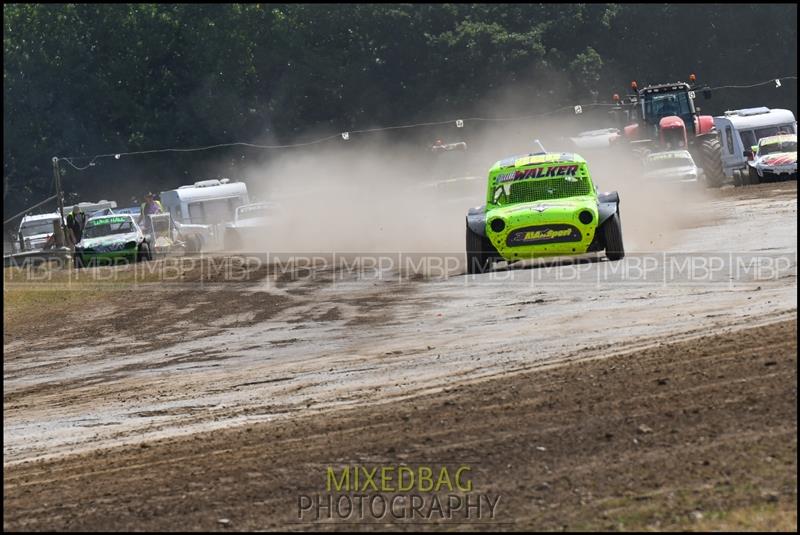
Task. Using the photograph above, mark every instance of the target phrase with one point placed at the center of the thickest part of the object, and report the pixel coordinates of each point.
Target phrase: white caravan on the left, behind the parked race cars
(202, 209)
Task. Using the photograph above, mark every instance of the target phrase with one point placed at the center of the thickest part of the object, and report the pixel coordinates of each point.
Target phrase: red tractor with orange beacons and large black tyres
(664, 117)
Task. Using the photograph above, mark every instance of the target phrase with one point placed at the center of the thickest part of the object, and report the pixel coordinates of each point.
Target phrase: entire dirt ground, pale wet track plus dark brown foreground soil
(585, 394)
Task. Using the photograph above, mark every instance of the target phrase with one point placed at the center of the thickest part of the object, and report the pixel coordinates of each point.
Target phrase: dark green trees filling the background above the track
(83, 79)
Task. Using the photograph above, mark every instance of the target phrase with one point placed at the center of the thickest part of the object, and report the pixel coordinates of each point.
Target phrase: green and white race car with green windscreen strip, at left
(112, 239)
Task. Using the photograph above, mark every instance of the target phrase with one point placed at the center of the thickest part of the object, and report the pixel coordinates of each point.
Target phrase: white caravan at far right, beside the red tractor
(740, 130)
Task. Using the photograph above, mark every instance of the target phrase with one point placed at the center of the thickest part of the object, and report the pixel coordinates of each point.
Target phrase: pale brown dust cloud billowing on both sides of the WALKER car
(388, 193)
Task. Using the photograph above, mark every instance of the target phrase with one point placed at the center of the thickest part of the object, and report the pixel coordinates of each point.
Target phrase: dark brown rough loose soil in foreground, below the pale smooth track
(654, 439)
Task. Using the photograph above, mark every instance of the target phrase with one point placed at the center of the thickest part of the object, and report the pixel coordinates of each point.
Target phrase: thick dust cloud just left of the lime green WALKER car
(379, 196)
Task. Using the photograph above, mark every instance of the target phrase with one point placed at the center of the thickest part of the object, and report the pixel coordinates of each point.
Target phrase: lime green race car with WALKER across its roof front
(542, 204)
